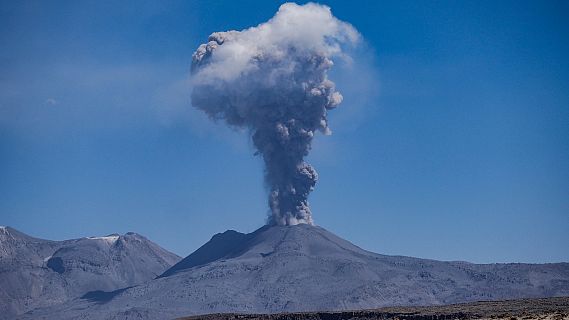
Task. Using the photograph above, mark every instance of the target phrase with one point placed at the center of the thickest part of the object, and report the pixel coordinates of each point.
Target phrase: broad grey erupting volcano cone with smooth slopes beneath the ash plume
(303, 268)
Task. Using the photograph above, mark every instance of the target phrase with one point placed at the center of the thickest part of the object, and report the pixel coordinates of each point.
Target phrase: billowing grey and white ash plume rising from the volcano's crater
(272, 79)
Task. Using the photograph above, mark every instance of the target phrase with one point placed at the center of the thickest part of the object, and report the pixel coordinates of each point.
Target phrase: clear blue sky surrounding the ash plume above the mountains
(459, 149)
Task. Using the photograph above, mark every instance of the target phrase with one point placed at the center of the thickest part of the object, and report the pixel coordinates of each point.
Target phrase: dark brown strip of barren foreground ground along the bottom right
(524, 309)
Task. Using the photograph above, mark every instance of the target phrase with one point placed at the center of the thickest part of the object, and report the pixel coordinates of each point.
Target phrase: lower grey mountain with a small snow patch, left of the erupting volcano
(38, 273)
